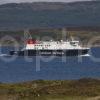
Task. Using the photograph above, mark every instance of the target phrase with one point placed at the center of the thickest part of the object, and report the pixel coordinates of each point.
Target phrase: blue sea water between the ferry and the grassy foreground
(21, 69)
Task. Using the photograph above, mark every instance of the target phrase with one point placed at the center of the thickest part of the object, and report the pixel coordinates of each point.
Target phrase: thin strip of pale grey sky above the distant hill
(18, 1)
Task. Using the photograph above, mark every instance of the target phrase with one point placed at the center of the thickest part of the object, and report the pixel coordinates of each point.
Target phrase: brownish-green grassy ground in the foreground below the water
(51, 90)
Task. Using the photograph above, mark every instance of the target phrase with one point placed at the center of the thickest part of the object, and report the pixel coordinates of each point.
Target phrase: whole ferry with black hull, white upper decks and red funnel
(51, 48)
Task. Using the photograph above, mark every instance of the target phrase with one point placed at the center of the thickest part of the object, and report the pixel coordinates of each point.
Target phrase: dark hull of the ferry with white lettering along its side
(73, 52)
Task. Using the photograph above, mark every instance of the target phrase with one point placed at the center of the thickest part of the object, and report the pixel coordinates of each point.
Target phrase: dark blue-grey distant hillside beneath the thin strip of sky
(43, 14)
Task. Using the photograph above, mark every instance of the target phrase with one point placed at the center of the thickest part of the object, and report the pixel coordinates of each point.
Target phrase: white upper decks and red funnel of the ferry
(52, 45)
